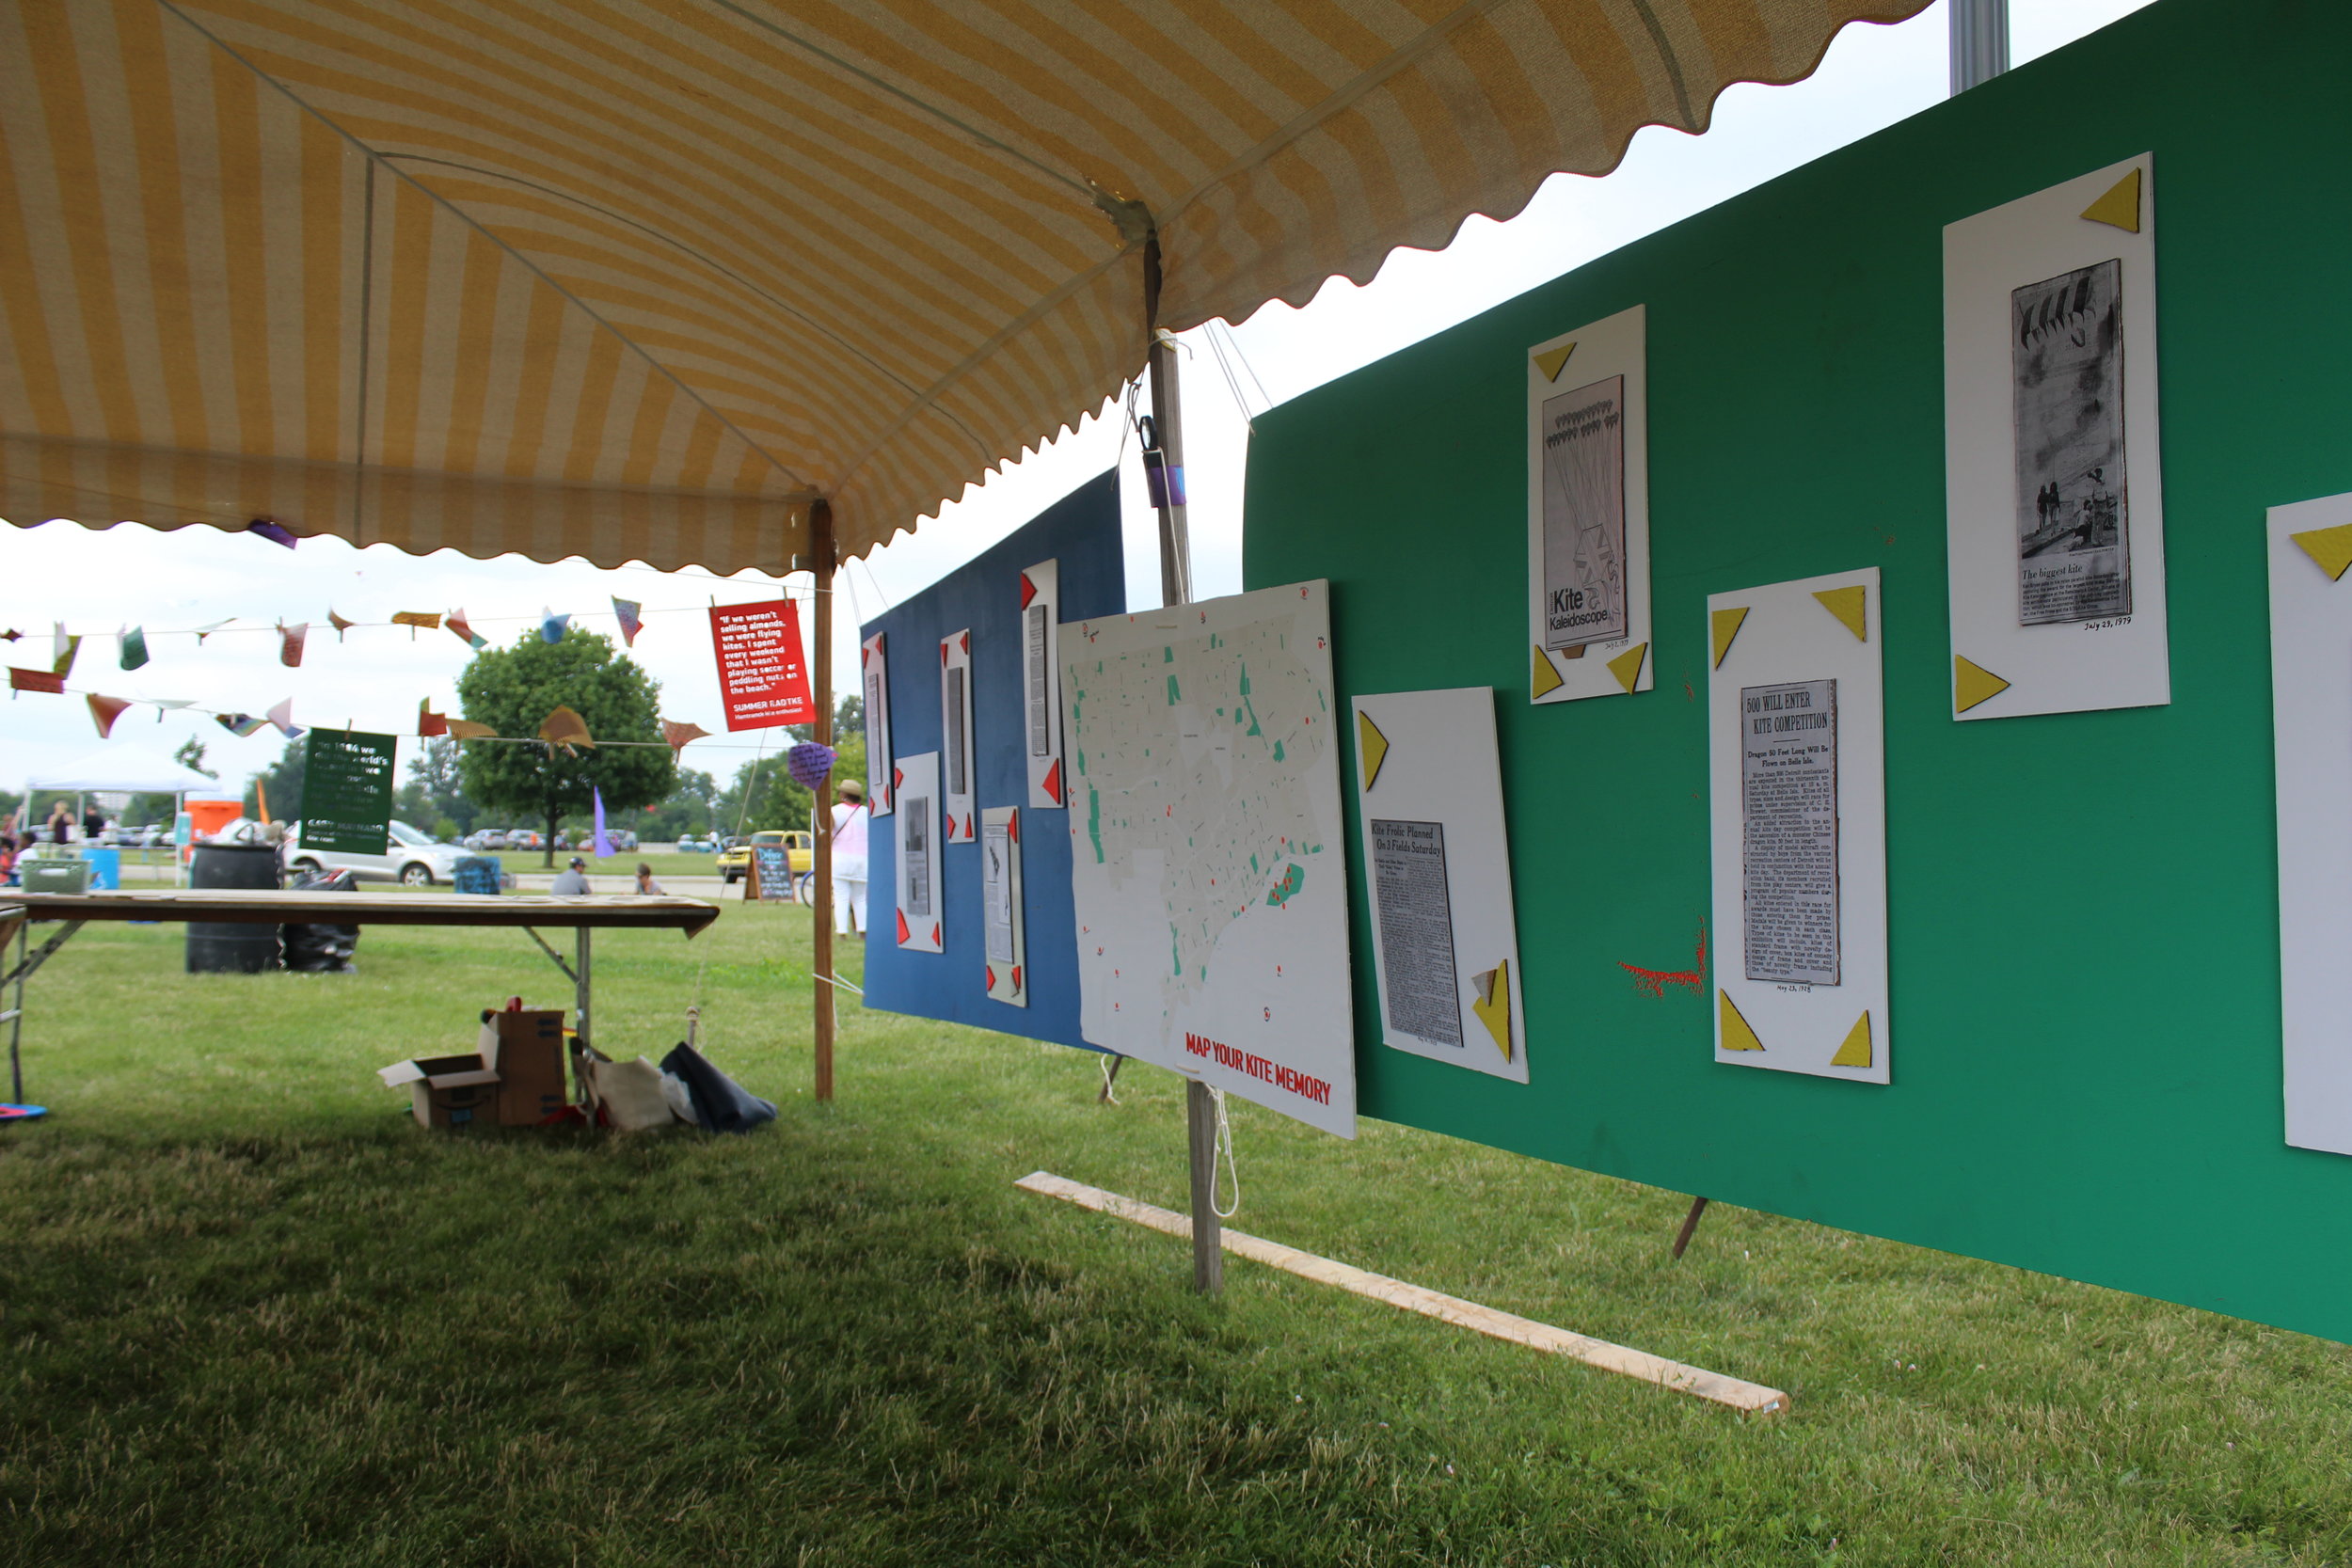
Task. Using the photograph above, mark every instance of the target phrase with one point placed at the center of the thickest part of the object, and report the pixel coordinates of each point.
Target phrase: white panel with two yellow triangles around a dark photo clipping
(2054, 490)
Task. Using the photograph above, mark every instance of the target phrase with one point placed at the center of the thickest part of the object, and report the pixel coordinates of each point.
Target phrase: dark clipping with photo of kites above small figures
(2066, 359)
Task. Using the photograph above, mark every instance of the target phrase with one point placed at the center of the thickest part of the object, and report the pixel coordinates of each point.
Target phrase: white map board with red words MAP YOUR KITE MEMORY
(1205, 845)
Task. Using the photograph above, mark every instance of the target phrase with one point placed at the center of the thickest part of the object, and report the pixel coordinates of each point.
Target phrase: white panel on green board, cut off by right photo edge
(2311, 683)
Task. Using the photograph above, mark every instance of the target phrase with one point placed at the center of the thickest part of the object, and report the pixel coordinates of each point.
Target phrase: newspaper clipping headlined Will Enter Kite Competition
(1789, 840)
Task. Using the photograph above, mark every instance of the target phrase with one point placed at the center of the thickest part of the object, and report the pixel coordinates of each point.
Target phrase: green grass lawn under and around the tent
(255, 1315)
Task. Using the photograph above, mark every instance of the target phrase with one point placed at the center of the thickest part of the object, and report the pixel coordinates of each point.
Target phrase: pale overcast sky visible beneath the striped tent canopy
(194, 577)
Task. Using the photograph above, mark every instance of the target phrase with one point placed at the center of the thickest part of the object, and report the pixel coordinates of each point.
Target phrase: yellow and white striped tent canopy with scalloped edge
(641, 279)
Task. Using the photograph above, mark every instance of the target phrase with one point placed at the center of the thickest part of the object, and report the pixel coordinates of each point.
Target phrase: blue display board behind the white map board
(984, 598)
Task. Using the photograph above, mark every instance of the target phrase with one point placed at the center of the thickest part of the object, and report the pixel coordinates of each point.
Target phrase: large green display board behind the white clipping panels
(2083, 909)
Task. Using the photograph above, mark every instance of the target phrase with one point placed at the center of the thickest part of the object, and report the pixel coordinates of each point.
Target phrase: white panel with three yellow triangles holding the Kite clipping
(1589, 511)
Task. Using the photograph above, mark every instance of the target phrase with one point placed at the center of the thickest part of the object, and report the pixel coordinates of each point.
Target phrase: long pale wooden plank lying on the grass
(1431, 1304)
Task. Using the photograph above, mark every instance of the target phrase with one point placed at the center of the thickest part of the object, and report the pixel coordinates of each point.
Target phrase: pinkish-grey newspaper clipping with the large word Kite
(1584, 516)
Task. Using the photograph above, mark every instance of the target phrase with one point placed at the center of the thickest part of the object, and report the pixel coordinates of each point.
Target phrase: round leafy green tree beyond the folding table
(516, 690)
